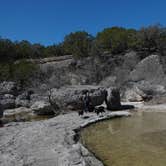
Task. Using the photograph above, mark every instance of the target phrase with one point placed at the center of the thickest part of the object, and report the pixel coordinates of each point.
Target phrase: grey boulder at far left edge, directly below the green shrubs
(8, 88)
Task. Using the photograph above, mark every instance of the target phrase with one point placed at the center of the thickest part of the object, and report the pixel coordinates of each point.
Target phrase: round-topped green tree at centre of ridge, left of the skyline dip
(78, 44)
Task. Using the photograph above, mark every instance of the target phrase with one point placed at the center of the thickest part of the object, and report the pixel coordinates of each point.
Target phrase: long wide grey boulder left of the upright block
(71, 97)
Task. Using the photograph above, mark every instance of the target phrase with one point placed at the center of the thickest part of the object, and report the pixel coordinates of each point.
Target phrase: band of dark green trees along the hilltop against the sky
(114, 40)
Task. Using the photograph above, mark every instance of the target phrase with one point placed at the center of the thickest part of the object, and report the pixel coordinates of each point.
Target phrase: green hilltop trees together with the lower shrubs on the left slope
(113, 41)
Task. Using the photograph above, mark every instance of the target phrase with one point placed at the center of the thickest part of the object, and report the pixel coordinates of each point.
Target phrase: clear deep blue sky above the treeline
(48, 21)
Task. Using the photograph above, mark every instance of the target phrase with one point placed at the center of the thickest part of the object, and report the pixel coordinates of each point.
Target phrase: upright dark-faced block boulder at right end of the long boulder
(113, 99)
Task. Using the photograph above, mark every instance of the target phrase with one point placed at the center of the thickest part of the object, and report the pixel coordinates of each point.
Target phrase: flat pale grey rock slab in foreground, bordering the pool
(48, 143)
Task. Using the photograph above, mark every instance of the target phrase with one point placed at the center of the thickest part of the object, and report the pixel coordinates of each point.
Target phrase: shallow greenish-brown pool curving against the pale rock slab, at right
(139, 140)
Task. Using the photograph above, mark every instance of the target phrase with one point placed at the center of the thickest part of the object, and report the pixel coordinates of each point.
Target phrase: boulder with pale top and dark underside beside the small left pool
(43, 108)
